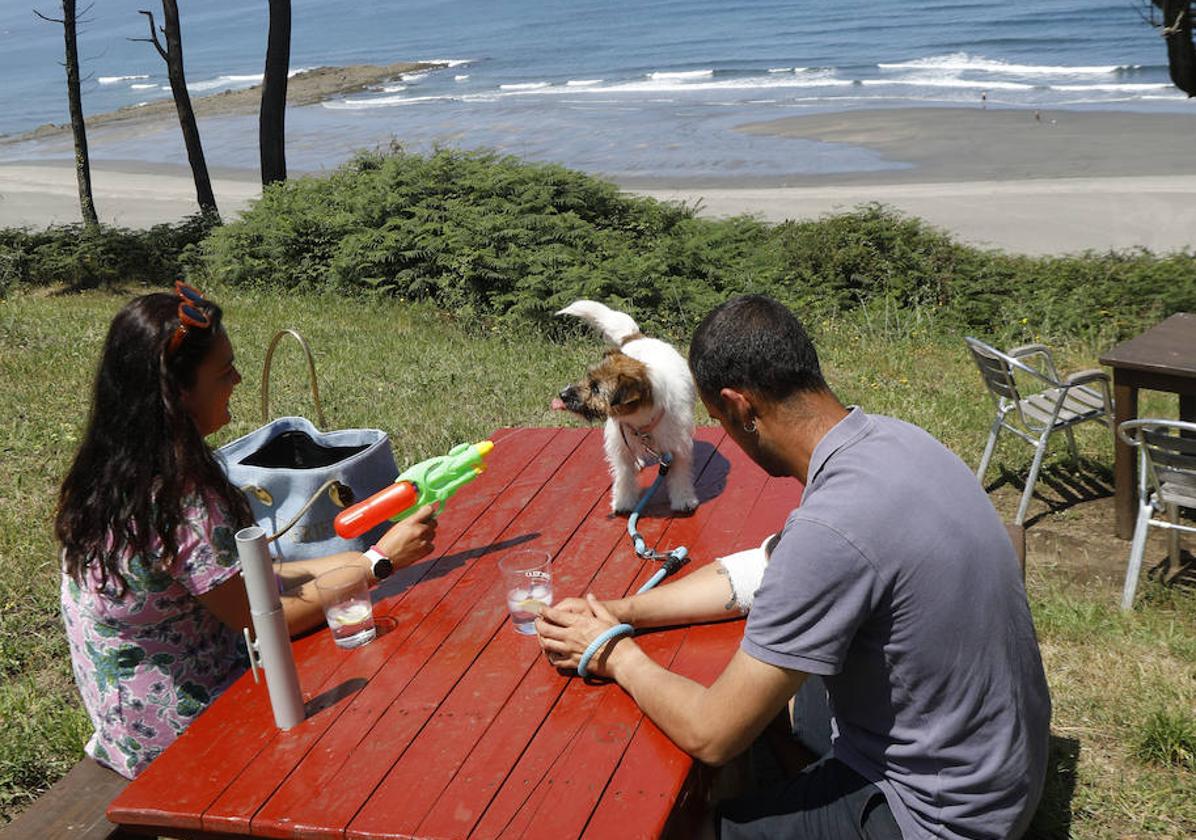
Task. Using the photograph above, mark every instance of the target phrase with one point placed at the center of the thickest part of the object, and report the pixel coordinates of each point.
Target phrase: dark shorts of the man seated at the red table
(828, 800)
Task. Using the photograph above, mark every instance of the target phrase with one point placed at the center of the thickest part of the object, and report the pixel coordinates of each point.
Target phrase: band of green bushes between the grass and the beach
(510, 242)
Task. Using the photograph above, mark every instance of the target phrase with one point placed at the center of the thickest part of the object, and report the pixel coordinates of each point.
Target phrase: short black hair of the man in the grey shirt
(755, 344)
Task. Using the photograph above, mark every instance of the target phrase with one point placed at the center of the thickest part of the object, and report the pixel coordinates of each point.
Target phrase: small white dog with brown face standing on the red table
(644, 389)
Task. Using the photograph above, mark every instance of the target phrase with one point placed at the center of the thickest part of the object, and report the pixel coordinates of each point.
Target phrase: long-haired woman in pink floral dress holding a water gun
(152, 598)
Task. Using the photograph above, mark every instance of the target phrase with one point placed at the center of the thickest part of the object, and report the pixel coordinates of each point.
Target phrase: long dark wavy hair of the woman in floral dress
(142, 454)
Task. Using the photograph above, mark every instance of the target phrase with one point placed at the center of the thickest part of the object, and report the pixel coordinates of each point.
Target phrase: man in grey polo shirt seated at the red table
(895, 581)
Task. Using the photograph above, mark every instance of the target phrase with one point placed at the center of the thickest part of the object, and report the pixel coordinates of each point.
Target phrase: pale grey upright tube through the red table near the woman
(271, 628)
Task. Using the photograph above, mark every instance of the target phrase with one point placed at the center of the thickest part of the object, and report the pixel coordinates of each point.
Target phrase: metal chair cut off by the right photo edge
(1167, 482)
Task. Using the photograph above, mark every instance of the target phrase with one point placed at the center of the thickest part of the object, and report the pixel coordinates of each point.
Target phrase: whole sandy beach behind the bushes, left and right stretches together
(1066, 182)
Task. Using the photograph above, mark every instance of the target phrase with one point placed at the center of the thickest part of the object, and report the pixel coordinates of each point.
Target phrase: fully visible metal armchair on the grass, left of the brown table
(1060, 405)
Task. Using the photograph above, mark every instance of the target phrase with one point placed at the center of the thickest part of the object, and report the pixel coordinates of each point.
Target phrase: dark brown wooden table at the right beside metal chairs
(1161, 360)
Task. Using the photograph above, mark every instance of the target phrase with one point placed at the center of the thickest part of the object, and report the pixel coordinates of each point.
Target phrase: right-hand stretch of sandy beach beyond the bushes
(1032, 182)
